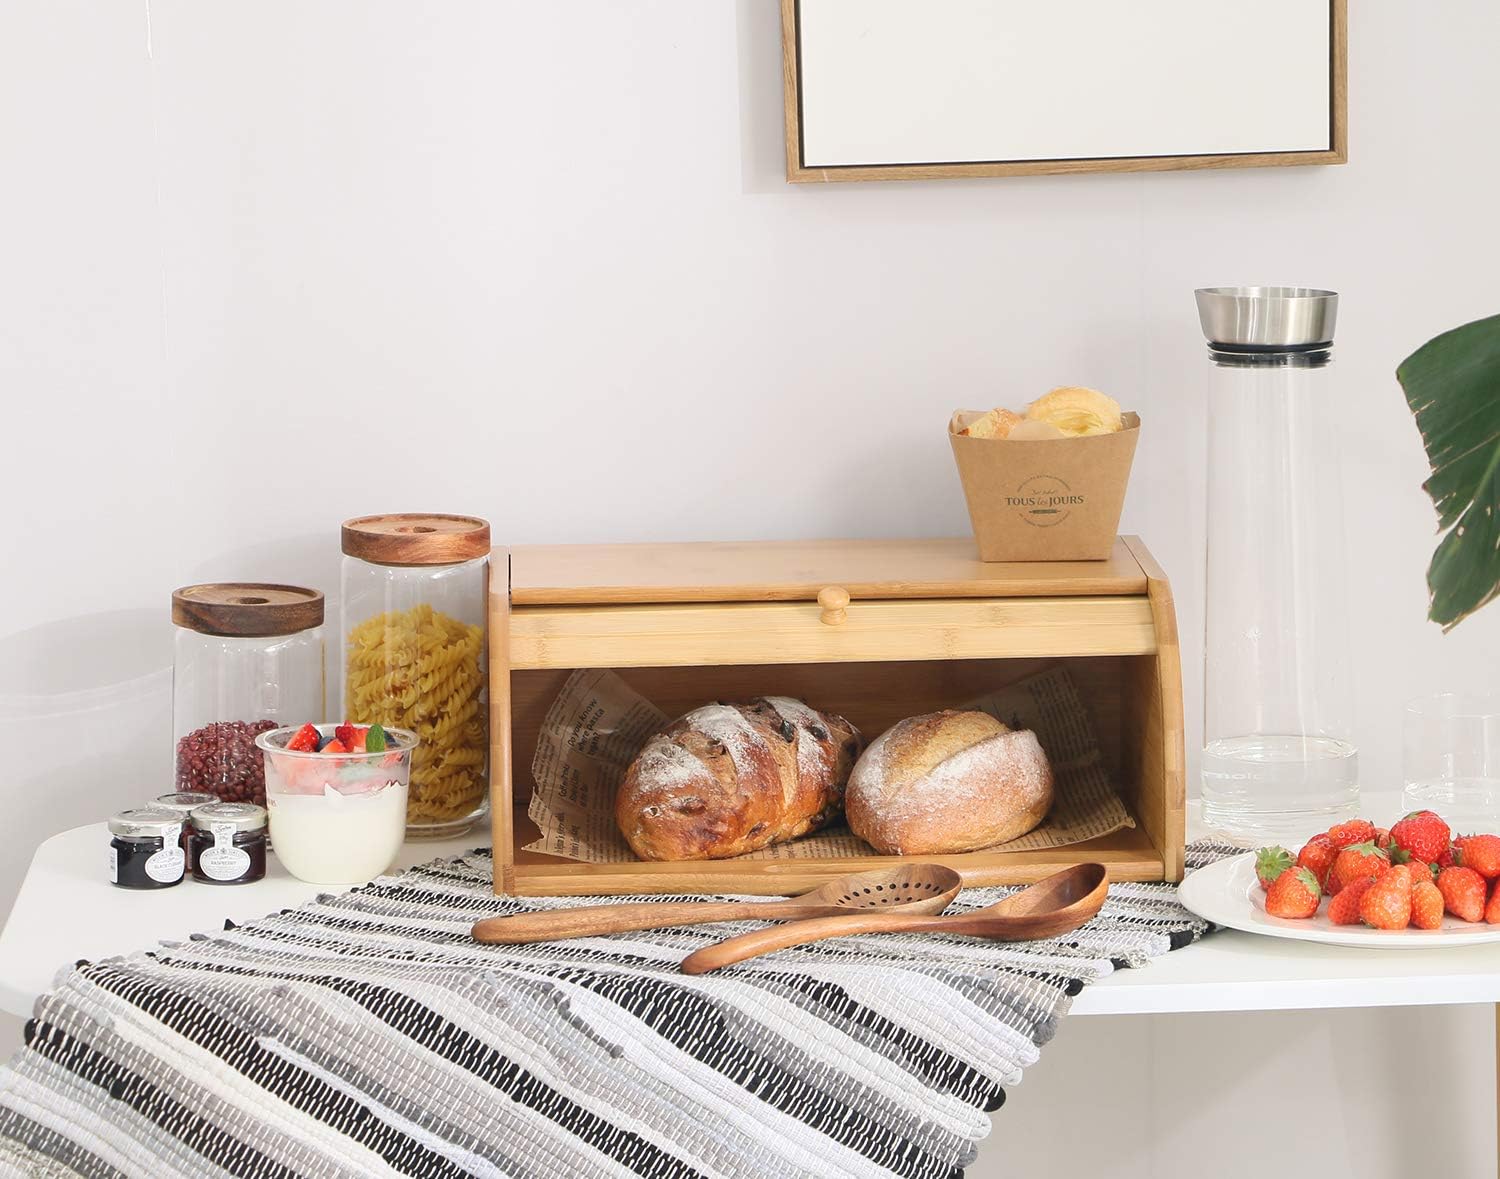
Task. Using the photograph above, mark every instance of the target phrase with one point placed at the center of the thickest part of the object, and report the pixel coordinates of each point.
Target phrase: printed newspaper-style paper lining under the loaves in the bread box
(599, 724)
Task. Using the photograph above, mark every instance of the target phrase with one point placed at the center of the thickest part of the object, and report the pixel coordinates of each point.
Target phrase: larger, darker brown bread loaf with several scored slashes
(736, 778)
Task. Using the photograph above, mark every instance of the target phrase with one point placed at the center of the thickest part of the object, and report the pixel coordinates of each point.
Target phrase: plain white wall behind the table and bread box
(266, 266)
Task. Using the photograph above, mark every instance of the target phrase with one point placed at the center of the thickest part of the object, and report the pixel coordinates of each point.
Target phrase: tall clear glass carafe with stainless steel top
(1279, 755)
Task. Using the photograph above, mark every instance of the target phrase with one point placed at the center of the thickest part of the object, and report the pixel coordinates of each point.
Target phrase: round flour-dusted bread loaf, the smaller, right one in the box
(949, 782)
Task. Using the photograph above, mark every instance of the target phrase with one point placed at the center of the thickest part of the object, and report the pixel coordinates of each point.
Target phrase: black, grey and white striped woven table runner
(367, 1034)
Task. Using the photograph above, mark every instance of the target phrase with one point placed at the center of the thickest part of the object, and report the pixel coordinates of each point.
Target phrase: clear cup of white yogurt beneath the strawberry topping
(337, 818)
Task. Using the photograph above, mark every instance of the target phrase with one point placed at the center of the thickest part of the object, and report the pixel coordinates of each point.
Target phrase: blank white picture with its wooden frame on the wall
(932, 89)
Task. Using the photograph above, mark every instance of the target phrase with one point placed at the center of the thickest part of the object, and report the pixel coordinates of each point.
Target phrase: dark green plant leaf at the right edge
(1453, 386)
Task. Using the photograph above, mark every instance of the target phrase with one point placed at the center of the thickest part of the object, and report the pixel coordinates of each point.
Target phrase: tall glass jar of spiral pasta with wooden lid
(415, 593)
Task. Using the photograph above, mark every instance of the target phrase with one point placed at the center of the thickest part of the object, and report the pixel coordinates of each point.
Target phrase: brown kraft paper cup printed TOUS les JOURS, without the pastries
(1046, 500)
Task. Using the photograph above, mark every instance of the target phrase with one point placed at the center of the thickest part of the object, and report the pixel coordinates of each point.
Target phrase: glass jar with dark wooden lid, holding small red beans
(248, 659)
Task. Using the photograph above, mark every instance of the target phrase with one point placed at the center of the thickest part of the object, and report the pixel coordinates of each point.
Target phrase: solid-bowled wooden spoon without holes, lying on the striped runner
(1060, 904)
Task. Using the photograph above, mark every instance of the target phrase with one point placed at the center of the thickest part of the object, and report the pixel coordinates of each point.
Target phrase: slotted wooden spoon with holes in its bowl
(911, 889)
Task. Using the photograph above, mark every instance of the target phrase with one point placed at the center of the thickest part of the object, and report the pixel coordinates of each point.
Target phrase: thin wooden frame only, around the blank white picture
(800, 172)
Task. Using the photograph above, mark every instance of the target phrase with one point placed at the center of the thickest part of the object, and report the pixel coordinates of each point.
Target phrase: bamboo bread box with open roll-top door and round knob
(875, 631)
